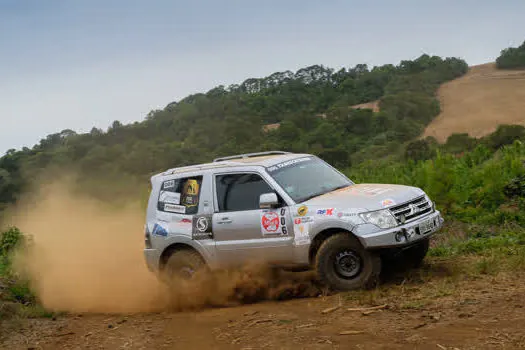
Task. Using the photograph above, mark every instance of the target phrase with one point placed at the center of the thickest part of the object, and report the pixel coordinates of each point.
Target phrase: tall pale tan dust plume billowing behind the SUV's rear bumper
(85, 256)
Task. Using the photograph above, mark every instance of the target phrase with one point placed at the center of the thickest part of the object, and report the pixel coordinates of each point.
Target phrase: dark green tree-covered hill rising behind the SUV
(230, 120)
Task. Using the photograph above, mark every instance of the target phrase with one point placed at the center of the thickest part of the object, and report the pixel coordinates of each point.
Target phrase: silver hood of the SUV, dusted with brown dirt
(366, 196)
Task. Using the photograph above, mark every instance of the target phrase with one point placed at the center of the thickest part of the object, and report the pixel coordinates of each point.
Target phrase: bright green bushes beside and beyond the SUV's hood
(471, 188)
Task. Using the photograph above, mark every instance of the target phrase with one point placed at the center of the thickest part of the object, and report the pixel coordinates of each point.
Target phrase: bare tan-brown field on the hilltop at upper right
(480, 101)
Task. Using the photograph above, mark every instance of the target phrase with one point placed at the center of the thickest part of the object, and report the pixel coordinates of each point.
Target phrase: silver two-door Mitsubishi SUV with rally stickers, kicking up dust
(283, 209)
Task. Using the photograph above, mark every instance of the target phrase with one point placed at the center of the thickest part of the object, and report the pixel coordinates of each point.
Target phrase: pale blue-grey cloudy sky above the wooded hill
(79, 64)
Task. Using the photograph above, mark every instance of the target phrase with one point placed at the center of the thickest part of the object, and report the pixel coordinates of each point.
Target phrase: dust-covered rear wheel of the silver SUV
(182, 264)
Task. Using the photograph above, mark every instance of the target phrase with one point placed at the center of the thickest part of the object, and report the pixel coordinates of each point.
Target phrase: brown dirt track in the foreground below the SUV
(481, 313)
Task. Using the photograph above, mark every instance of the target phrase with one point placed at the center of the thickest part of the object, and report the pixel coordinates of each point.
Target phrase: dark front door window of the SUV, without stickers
(237, 192)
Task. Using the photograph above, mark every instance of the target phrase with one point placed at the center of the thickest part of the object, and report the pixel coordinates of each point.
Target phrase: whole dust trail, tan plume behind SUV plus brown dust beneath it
(86, 256)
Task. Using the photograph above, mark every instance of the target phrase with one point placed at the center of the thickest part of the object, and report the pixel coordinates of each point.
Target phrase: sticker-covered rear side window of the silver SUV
(180, 196)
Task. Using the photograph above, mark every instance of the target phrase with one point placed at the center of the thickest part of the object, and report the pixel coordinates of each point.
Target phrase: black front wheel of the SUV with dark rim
(343, 264)
